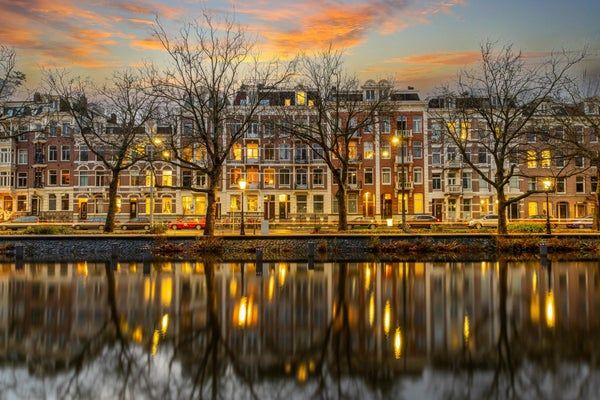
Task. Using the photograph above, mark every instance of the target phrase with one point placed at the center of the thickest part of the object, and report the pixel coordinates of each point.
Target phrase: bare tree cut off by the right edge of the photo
(578, 114)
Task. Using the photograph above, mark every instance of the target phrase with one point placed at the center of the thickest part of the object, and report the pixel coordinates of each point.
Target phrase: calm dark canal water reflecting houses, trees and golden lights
(297, 331)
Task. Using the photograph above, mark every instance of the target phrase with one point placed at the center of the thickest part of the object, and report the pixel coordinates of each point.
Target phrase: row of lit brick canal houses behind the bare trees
(47, 170)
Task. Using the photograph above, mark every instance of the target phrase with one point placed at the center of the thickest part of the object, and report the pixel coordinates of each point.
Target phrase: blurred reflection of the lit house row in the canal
(391, 317)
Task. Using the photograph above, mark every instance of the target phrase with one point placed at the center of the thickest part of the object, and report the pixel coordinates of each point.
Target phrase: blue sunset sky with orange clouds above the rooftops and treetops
(419, 43)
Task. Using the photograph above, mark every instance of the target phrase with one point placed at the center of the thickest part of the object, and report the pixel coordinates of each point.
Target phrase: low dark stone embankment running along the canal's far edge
(318, 247)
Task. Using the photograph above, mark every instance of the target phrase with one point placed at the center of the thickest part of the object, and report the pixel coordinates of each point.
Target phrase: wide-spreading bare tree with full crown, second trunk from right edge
(500, 98)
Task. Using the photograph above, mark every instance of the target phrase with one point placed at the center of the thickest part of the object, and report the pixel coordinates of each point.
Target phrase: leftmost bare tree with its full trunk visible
(111, 119)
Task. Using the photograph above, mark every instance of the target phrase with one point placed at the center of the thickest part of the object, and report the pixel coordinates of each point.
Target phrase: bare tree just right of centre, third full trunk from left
(339, 115)
